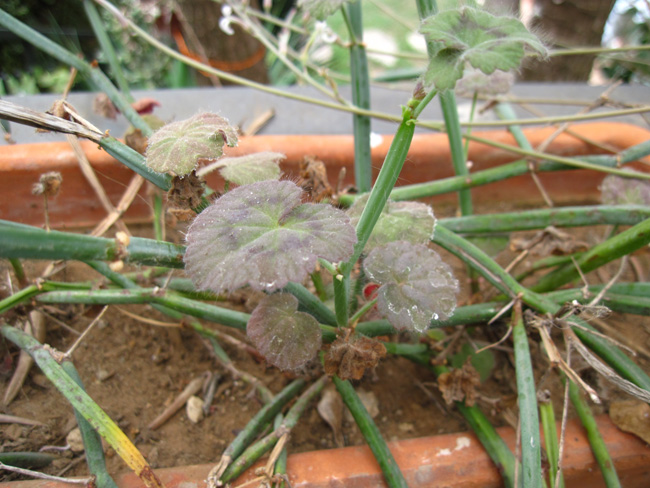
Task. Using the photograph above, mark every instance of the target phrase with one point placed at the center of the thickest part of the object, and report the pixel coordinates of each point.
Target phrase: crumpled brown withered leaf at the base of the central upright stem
(349, 358)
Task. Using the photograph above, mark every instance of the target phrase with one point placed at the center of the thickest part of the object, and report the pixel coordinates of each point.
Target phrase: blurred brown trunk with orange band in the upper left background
(239, 54)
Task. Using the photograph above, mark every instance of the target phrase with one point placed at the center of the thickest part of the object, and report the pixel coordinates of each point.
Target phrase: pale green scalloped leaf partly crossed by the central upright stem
(406, 221)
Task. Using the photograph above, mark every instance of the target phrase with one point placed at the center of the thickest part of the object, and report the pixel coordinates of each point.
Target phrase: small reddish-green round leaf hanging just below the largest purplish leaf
(287, 338)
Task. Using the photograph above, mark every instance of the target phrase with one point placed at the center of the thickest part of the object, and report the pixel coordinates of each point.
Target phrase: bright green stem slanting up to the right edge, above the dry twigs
(613, 248)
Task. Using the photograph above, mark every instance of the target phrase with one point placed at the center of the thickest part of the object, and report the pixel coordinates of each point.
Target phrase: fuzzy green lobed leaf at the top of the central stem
(472, 36)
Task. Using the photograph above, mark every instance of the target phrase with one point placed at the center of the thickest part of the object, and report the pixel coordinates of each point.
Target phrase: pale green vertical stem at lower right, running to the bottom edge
(531, 457)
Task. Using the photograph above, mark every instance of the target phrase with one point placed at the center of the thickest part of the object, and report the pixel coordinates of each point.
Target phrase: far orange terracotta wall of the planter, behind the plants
(429, 159)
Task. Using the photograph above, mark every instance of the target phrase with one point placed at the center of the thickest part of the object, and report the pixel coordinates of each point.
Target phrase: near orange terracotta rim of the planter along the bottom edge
(452, 460)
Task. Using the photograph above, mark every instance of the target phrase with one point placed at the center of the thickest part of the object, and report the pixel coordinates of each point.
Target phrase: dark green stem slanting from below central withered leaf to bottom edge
(392, 473)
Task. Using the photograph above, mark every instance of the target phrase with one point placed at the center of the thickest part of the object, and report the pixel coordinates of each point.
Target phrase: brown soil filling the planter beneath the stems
(133, 370)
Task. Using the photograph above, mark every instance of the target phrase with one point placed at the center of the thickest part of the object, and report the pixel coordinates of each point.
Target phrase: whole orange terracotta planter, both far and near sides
(455, 460)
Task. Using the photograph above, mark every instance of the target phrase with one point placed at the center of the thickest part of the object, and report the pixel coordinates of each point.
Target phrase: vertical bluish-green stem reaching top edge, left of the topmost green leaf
(360, 97)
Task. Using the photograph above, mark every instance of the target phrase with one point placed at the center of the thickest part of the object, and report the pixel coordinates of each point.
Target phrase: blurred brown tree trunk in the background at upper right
(567, 23)
